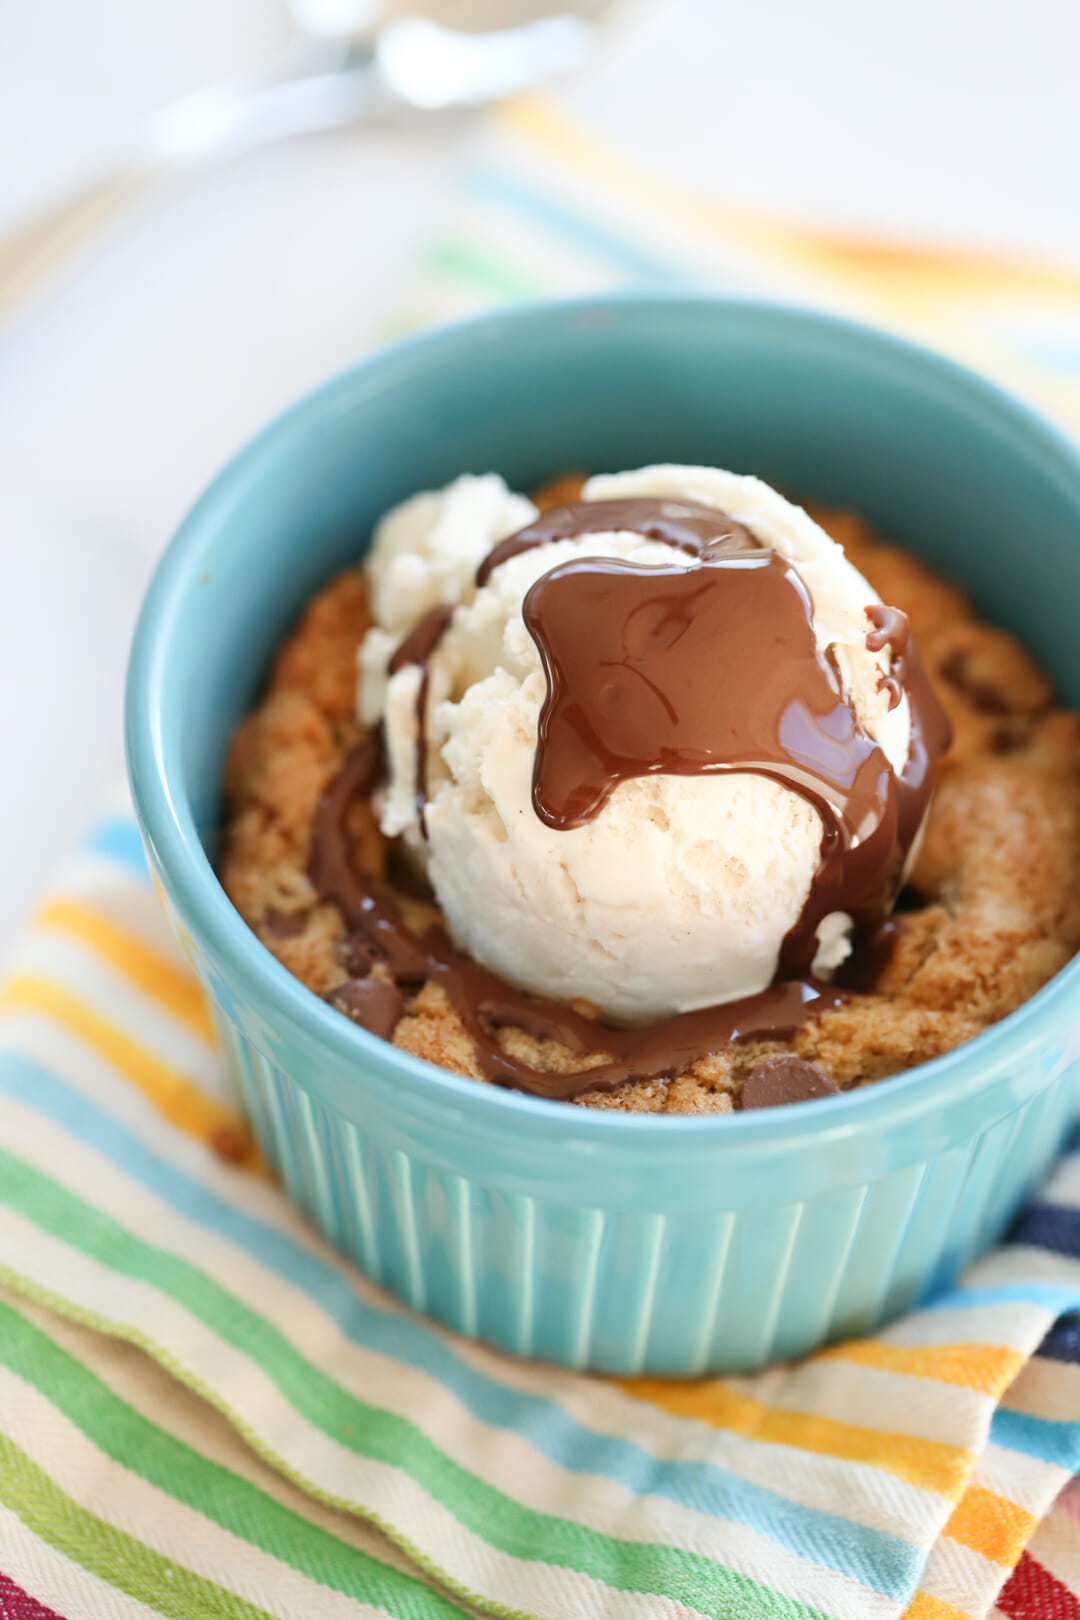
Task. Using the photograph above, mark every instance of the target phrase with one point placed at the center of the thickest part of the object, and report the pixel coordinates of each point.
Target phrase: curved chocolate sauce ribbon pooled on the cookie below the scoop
(485, 1004)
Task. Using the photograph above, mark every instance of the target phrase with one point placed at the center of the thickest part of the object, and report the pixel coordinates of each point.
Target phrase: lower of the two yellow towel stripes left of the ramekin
(171, 1093)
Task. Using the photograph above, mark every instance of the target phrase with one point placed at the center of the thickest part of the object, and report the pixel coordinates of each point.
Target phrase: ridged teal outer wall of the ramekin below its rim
(636, 1290)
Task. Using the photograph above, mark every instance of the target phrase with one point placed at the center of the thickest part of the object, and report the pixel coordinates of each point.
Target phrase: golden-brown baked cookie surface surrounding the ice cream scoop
(992, 910)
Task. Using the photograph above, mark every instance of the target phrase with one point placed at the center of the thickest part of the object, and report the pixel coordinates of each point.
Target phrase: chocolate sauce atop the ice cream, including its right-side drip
(716, 668)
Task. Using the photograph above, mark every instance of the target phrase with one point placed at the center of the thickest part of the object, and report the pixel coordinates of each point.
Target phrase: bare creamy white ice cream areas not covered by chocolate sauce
(682, 889)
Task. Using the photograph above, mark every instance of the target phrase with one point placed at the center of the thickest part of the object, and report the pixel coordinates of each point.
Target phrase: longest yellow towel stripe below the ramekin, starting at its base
(929, 1464)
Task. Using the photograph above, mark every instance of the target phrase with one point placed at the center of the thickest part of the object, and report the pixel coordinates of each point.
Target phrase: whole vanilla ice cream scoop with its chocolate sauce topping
(671, 740)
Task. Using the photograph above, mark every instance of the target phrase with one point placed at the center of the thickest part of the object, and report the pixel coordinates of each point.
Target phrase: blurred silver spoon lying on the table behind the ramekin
(341, 74)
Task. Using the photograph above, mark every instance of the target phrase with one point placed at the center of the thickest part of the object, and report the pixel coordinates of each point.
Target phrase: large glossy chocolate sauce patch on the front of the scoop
(691, 671)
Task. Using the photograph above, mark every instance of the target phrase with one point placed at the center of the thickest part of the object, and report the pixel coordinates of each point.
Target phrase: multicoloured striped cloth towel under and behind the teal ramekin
(208, 1413)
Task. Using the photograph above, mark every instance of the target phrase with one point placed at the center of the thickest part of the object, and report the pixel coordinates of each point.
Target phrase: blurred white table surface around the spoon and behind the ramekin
(158, 354)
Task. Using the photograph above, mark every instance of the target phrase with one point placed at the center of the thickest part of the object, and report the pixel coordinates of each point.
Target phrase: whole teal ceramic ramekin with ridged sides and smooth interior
(598, 1240)
